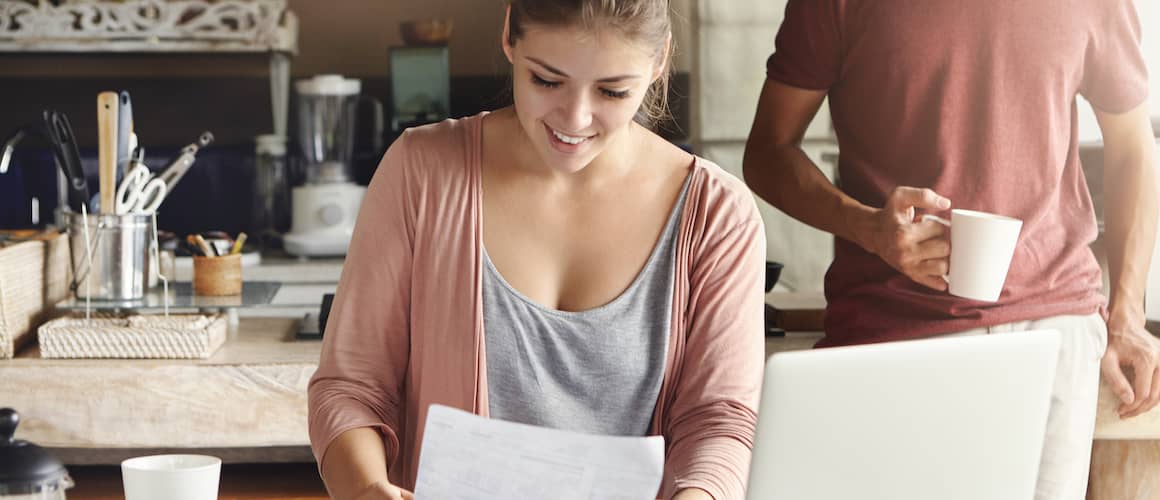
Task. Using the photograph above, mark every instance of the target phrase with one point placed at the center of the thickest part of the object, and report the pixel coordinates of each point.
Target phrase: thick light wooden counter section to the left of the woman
(249, 400)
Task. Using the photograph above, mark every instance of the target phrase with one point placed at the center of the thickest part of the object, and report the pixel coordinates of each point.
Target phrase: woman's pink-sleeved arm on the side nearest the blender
(357, 396)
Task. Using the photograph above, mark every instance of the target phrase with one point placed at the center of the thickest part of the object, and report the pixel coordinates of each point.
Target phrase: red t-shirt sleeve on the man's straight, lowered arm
(1115, 76)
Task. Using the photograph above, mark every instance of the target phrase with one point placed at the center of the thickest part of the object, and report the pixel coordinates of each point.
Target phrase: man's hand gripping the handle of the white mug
(918, 249)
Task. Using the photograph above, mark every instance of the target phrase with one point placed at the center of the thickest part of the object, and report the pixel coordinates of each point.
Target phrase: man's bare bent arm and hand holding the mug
(780, 172)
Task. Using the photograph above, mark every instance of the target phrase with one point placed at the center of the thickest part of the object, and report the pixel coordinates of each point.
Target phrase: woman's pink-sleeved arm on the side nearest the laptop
(710, 423)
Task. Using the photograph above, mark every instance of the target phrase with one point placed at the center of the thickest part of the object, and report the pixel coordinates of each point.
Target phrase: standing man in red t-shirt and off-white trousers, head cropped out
(944, 103)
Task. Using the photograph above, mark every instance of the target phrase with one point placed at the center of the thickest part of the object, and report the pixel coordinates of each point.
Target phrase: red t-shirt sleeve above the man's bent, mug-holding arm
(808, 49)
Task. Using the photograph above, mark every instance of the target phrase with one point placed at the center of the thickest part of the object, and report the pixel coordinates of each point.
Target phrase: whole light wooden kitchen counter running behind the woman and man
(248, 403)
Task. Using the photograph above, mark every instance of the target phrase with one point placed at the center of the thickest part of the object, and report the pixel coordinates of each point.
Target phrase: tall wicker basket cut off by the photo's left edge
(34, 278)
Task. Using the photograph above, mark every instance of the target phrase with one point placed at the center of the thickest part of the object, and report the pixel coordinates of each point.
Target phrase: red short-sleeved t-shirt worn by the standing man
(977, 102)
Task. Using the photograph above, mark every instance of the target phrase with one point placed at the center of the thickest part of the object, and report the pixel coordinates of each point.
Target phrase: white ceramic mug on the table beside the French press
(172, 477)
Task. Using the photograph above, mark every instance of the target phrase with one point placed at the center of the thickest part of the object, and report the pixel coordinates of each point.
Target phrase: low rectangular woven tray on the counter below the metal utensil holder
(177, 337)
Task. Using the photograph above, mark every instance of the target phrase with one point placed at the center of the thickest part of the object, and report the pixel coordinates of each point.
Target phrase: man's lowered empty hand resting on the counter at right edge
(1132, 346)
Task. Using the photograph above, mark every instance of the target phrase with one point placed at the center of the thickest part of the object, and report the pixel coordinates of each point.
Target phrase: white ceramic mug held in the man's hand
(982, 247)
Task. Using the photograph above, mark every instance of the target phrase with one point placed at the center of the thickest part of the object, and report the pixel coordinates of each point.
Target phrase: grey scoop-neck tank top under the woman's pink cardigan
(596, 372)
